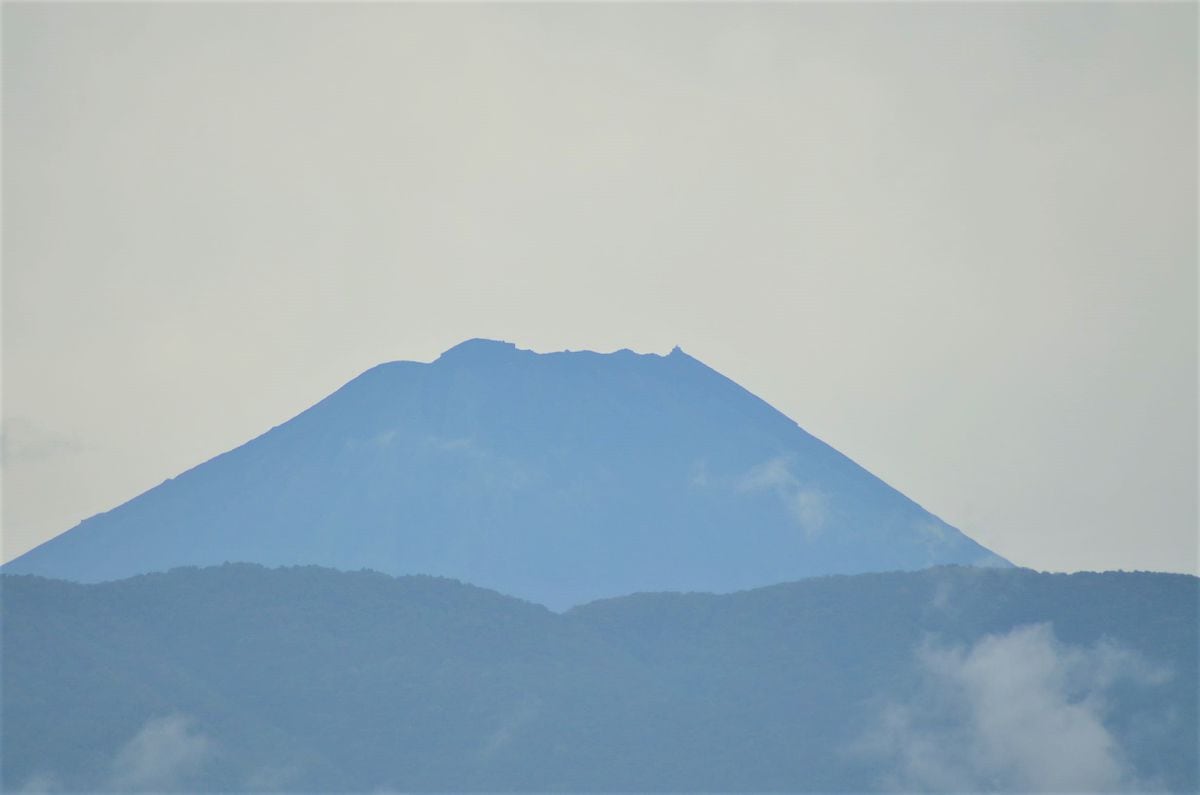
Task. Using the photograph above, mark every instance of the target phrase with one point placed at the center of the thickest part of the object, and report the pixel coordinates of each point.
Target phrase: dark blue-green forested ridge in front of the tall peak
(952, 679)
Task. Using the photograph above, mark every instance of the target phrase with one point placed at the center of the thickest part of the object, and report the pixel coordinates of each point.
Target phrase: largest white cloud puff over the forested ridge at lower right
(1015, 713)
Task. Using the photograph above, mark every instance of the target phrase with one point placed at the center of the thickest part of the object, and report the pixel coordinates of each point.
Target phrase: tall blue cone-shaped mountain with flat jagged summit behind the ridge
(560, 479)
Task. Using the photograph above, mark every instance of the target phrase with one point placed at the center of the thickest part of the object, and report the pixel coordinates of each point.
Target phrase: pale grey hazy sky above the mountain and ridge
(957, 242)
